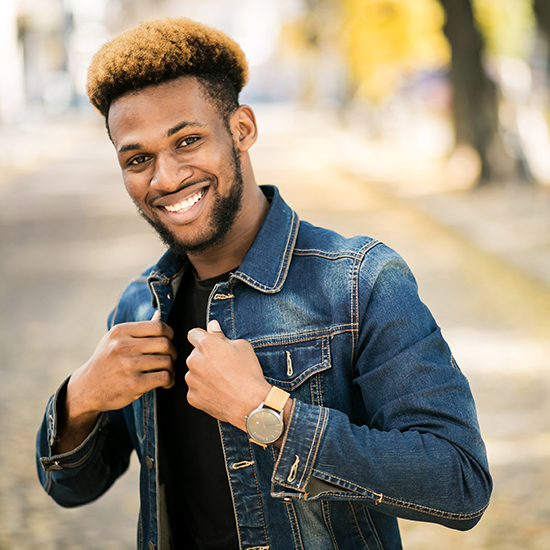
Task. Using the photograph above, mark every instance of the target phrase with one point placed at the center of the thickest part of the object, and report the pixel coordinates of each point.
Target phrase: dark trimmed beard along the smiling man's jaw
(222, 217)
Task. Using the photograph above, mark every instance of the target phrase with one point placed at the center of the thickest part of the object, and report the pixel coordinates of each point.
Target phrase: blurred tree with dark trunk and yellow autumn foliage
(387, 41)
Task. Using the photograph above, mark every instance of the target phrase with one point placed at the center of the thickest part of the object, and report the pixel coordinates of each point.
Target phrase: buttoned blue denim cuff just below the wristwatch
(294, 466)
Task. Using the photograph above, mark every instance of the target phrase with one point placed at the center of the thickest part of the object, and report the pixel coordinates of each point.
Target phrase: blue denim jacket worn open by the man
(383, 424)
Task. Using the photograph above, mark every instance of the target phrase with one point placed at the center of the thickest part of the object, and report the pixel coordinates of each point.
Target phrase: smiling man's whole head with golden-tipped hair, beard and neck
(168, 90)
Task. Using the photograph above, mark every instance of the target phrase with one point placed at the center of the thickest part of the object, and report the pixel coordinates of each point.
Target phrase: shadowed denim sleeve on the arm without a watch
(85, 473)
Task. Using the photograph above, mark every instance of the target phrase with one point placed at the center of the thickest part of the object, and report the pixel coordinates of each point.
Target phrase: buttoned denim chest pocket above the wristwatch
(298, 367)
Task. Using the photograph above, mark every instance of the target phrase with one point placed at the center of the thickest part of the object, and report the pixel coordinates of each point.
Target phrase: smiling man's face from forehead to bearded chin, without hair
(179, 163)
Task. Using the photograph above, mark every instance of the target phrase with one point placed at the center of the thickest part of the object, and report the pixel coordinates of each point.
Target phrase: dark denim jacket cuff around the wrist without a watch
(78, 455)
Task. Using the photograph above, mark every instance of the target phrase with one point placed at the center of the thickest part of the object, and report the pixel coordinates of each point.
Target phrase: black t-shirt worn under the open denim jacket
(192, 464)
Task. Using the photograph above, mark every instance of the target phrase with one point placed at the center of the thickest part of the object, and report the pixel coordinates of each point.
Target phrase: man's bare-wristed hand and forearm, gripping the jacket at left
(130, 360)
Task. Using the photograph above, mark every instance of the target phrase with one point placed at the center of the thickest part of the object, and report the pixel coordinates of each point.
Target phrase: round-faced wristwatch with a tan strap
(265, 423)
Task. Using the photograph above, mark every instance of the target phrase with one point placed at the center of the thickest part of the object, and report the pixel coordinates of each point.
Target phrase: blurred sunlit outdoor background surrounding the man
(421, 122)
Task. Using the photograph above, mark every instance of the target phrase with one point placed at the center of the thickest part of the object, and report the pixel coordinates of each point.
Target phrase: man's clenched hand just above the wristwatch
(225, 378)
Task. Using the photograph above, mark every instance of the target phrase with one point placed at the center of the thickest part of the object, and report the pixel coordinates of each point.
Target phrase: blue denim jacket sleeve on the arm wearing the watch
(420, 456)
